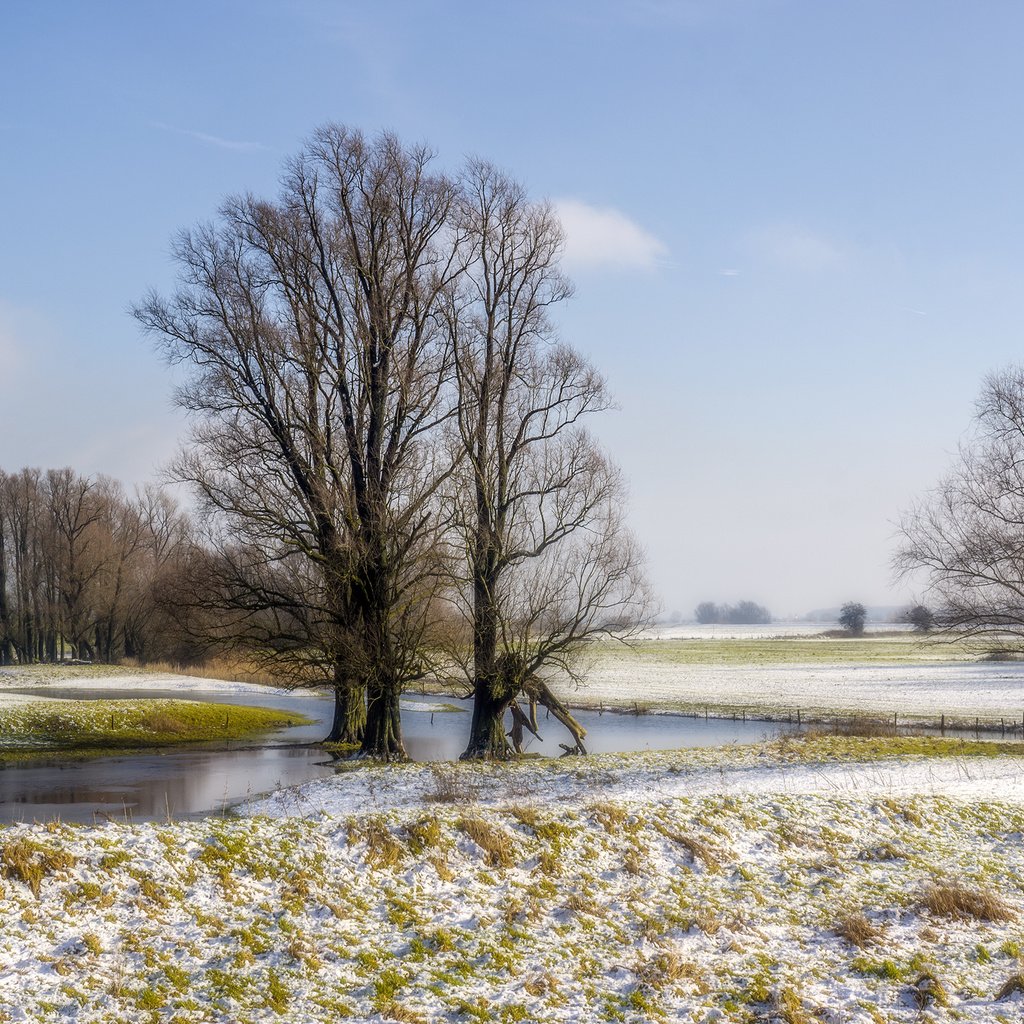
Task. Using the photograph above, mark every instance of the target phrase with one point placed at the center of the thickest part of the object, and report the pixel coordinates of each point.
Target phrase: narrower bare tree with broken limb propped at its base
(545, 564)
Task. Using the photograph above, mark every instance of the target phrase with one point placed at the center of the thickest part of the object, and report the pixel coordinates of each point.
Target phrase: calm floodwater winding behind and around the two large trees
(186, 783)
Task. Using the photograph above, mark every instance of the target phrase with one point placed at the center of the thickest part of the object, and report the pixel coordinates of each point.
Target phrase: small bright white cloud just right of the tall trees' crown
(605, 237)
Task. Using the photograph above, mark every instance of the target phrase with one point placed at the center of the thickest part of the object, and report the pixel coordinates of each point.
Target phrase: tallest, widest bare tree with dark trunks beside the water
(320, 372)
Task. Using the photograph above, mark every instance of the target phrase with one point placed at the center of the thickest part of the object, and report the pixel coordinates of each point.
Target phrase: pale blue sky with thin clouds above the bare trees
(794, 227)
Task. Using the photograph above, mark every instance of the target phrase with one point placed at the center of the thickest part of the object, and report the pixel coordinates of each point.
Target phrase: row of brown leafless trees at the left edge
(82, 566)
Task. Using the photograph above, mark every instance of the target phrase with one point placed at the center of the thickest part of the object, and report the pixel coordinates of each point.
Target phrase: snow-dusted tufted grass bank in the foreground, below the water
(633, 888)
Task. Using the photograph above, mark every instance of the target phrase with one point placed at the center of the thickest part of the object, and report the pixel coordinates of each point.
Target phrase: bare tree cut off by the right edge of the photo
(966, 538)
